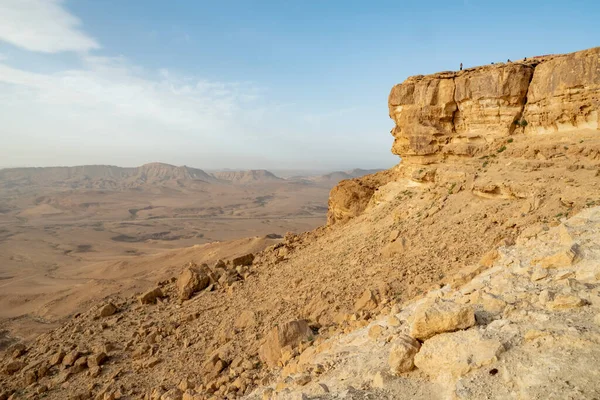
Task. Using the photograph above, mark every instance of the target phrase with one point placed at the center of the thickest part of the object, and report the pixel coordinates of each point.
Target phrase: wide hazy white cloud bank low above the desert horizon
(110, 107)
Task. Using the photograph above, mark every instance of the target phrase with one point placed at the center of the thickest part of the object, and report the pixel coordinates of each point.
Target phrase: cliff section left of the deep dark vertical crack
(456, 113)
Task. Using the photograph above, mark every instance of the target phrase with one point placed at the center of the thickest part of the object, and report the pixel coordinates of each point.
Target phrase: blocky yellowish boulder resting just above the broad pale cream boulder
(439, 316)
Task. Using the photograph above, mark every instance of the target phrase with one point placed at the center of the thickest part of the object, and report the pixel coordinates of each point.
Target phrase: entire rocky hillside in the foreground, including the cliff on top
(459, 262)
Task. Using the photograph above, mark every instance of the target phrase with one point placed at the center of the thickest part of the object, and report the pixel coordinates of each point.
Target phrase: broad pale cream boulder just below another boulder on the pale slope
(456, 353)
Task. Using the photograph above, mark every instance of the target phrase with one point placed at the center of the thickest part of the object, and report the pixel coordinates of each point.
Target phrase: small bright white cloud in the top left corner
(43, 26)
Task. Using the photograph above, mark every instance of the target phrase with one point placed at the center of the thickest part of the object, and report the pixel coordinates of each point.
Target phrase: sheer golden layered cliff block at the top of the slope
(461, 113)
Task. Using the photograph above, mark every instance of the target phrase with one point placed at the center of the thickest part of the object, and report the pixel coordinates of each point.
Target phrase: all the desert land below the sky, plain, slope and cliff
(470, 270)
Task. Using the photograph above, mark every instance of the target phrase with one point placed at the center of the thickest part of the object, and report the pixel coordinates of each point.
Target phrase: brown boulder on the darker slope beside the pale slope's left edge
(290, 333)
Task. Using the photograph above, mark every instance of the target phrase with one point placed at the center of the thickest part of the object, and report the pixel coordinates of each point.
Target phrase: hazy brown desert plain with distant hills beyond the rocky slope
(71, 235)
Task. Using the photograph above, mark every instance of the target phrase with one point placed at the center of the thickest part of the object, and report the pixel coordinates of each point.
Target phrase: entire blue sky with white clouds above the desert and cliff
(244, 84)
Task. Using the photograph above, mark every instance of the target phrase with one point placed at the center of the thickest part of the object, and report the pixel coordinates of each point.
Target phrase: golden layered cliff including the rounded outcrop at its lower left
(515, 111)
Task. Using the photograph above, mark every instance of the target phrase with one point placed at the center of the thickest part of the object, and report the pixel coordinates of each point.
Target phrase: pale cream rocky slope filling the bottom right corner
(527, 327)
